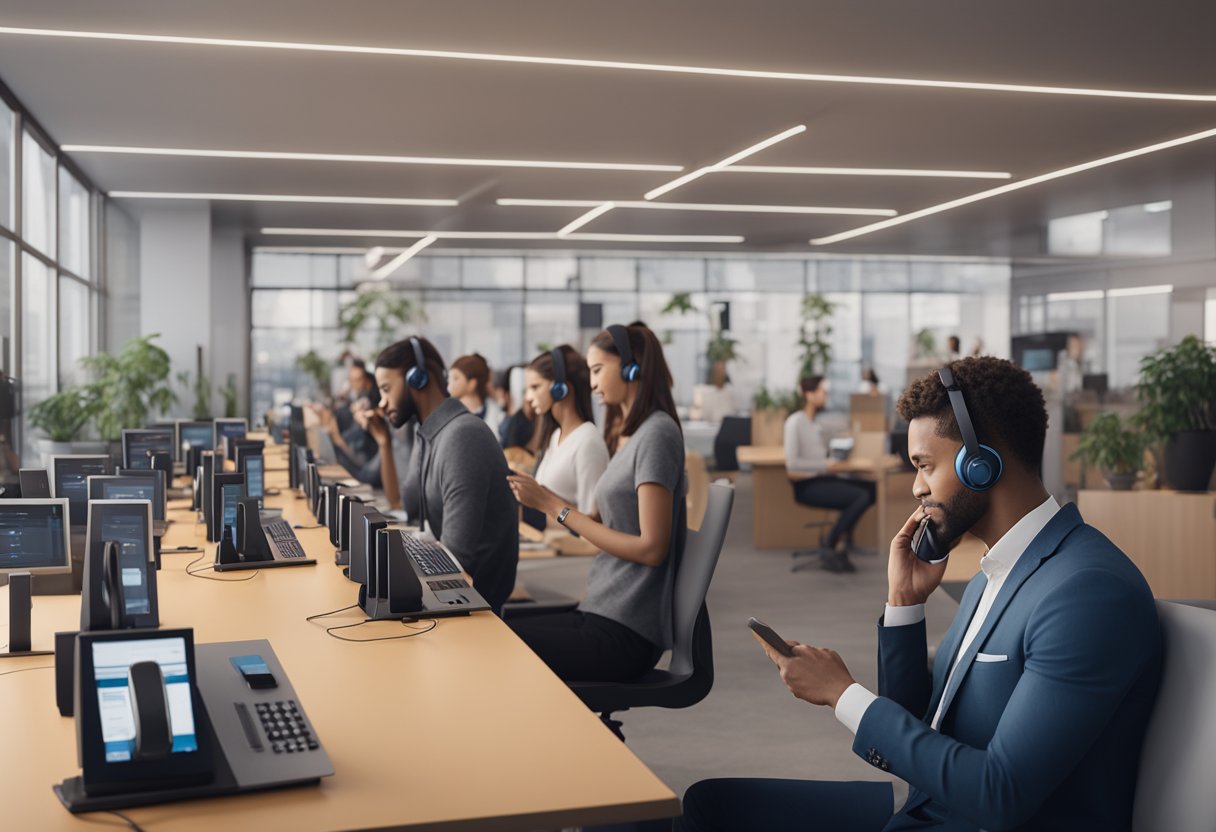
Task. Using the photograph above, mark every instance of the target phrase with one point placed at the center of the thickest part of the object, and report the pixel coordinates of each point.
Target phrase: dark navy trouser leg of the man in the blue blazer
(787, 806)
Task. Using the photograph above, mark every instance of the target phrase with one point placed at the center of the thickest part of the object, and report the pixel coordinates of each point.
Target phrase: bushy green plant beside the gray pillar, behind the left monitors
(131, 387)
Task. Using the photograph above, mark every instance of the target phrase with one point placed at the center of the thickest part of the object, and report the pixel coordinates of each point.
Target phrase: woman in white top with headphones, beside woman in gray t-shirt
(573, 456)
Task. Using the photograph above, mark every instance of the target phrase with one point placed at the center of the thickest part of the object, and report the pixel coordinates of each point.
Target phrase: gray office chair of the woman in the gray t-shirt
(690, 676)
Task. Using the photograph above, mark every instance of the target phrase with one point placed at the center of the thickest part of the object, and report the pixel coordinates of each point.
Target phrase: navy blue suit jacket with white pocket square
(1045, 734)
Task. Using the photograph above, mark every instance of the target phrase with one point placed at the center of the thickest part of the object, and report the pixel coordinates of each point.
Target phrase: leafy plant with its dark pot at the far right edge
(1178, 397)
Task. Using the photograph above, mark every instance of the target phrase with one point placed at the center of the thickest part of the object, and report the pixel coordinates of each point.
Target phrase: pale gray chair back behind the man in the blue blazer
(1174, 790)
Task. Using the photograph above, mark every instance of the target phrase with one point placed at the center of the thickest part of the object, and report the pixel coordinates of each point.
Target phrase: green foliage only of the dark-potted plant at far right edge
(1178, 390)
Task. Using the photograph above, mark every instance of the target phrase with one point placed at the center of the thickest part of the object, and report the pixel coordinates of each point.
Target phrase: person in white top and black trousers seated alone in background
(807, 460)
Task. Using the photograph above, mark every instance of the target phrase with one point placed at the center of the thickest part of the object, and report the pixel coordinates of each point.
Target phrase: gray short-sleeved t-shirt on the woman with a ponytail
(632, 594)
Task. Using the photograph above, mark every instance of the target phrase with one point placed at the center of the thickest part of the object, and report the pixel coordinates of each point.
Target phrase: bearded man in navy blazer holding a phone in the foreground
(1035, 712)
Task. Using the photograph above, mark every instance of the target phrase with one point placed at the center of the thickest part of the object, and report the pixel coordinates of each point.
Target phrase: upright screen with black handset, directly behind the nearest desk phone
(120, 570)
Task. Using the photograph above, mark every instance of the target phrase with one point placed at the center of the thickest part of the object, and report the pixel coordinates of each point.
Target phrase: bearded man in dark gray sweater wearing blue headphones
(464, 498)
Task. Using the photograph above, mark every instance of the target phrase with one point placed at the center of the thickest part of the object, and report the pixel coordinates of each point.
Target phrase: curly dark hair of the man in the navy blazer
(1005, 404)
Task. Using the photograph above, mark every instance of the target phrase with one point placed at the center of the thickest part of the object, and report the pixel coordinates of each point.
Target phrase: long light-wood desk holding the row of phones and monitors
(460, 729)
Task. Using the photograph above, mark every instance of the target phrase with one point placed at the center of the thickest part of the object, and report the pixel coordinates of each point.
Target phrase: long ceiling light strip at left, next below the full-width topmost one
(367, 159)
